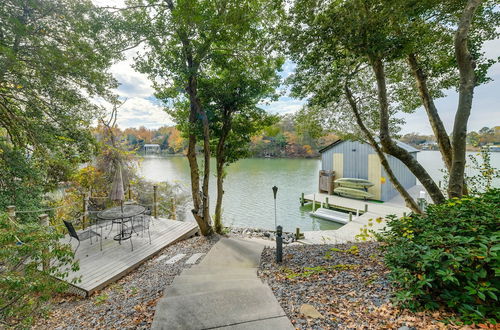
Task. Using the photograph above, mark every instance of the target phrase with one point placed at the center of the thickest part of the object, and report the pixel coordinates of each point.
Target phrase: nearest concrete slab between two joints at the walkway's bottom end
(216, 309)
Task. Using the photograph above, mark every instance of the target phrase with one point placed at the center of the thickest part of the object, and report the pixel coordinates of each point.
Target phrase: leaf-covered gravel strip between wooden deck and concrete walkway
(130, 302)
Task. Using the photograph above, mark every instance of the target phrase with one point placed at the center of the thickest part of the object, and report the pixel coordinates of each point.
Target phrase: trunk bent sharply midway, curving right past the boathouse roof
(390, 147)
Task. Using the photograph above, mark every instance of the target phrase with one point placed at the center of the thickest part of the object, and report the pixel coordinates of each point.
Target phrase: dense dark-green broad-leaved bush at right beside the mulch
(448, 257)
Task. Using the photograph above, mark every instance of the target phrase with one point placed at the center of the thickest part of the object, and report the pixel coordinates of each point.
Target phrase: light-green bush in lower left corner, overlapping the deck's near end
(24, 287)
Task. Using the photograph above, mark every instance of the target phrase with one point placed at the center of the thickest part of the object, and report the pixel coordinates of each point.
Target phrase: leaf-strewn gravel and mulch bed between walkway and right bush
(346, 283)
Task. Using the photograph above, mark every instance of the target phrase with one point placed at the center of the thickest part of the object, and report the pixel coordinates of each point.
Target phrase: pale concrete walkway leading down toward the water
(222, 292)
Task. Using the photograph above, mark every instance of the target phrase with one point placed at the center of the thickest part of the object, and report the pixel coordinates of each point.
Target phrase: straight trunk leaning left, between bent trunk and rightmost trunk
(437, 125)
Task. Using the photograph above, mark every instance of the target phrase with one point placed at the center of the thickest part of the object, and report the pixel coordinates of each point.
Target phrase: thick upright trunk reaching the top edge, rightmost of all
(466, 67)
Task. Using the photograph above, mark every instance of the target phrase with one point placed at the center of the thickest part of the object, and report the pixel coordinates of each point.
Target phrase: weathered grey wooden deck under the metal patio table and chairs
(100, 268)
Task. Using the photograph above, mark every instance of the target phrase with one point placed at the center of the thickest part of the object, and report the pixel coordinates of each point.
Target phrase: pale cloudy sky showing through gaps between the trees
(142, 109)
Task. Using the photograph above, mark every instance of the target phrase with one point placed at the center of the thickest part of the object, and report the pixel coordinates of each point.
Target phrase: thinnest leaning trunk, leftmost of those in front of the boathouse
(410, 202)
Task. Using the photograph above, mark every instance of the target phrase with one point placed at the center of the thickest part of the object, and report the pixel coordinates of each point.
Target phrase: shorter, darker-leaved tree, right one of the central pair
(231, 95)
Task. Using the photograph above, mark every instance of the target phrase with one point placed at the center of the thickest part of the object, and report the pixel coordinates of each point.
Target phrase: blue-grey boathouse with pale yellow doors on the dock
(354, 159)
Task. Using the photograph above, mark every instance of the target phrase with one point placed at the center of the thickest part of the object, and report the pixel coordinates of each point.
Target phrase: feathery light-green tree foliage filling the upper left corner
(54, 56)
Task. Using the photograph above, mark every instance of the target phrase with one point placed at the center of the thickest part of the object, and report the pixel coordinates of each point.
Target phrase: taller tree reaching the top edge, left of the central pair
(187, 39)
